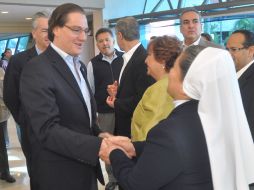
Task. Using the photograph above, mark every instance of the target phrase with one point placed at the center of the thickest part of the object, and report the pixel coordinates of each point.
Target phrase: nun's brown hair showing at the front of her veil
(187, 58)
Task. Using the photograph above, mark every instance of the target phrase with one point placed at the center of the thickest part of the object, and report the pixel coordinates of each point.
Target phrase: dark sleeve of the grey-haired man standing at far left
(11, 87)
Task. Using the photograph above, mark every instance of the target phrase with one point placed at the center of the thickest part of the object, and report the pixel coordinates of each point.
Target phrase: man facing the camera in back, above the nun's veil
(191, 28)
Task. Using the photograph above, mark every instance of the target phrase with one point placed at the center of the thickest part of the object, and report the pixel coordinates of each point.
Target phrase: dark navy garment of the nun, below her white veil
(174, 156)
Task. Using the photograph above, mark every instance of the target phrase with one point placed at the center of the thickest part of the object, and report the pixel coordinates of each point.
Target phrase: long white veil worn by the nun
(212, 80)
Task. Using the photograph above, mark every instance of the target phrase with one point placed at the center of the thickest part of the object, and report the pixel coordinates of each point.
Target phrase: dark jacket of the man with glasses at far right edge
(246, 82)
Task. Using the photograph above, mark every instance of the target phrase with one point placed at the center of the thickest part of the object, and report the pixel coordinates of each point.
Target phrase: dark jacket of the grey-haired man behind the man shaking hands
(12, 98)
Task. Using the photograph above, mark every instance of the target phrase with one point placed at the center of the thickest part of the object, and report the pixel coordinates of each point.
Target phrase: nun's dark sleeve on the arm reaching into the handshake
(158, 164)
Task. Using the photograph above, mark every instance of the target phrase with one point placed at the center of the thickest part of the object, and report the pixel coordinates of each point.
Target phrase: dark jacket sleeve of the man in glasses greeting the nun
(38, 95)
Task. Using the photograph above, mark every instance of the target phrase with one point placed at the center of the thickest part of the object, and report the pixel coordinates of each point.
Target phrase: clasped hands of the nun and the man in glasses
(110, 143)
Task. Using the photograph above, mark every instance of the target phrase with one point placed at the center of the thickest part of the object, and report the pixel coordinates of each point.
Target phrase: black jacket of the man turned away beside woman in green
(134, 82)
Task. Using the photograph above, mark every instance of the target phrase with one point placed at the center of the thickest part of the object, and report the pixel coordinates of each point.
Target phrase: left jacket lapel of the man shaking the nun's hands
(62, 68)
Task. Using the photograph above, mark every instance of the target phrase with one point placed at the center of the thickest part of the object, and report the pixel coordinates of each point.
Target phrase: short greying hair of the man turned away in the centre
(129, 28)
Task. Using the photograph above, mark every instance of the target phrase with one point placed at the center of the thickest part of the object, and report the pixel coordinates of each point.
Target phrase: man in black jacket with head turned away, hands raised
(133, 79)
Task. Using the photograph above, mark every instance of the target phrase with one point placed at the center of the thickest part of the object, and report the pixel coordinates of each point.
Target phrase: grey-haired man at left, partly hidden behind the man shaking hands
(12, 79)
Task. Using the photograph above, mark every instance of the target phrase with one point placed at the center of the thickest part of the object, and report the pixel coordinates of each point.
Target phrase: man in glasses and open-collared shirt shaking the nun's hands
(60, 108)
